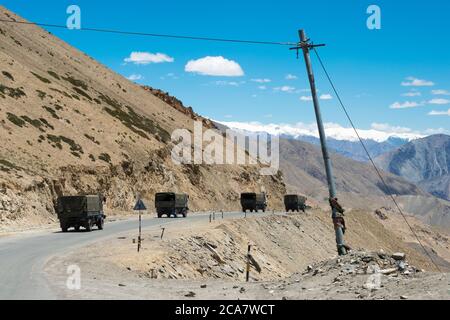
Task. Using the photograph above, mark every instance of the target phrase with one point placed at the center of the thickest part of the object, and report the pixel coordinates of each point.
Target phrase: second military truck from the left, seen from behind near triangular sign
(171, 204)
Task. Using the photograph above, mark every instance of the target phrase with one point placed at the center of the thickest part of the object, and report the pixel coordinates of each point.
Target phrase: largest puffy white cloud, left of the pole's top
(214, 66)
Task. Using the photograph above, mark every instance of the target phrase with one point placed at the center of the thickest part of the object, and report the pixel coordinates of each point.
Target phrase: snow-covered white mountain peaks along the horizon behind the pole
(378, 132)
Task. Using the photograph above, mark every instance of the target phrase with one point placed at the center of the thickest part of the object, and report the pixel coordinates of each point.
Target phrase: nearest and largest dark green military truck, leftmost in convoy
(80, 211)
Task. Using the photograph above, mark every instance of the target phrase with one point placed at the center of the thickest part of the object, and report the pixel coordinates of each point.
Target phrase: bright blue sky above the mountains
(368, 66)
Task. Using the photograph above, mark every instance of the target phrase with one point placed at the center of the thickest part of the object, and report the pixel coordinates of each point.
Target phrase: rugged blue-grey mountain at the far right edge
(425, 162)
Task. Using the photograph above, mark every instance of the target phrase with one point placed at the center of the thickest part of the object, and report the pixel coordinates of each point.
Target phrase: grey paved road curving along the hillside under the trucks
(22, 258)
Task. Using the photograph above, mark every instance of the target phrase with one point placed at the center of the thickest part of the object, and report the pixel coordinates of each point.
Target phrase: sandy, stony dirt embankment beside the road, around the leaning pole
(207, 261)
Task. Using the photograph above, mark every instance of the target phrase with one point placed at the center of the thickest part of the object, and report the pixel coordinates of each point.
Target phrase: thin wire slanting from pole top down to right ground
(388, 189)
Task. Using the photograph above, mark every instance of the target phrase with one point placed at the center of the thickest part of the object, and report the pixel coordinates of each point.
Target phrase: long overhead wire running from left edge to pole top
(158, 35)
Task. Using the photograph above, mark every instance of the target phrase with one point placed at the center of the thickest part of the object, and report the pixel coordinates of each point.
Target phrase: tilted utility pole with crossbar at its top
(306, 45)
